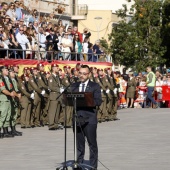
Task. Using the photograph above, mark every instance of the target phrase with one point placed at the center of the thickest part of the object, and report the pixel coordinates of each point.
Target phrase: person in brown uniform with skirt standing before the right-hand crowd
(131, 88)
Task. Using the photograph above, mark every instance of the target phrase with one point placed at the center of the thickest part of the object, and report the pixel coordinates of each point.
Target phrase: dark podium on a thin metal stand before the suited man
(76, 99)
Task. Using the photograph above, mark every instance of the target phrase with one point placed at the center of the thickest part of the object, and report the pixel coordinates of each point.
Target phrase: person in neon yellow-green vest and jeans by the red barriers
(151, 79)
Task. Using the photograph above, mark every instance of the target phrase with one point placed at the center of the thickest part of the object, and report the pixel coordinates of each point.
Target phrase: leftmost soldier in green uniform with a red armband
(6, 96)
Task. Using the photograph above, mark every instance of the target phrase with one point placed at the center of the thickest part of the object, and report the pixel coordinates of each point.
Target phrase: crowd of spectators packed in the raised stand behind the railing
(41, 39)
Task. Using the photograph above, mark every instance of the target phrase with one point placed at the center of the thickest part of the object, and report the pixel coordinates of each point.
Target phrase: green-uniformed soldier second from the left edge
(14, 102)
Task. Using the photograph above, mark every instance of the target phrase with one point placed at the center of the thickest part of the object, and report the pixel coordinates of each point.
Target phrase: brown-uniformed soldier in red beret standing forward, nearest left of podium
(54, 104)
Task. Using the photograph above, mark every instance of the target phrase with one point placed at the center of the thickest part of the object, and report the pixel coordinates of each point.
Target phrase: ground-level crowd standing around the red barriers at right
(137, 97)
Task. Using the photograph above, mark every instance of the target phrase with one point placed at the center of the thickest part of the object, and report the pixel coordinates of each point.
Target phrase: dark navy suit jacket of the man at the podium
(89, 114)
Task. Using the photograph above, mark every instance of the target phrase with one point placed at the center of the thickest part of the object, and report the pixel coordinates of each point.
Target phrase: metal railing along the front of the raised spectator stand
(54, 55)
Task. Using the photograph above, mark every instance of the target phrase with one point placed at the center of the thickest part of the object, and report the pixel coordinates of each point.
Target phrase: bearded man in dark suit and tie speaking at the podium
(87, 117)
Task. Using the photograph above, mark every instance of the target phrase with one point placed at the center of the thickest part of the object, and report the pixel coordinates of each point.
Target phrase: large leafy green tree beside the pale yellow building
(136, 39)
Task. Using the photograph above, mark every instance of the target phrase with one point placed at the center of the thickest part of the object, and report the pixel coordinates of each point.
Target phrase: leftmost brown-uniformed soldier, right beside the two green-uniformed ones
(27, 97)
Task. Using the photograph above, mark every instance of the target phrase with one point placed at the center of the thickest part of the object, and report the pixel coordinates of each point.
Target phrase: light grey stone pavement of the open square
(139, 141)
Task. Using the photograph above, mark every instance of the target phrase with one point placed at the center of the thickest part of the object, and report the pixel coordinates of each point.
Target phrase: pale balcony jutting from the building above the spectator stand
(79, 12)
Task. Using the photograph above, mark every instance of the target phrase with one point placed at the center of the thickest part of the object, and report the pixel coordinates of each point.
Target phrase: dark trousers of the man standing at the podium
(90, 132)
